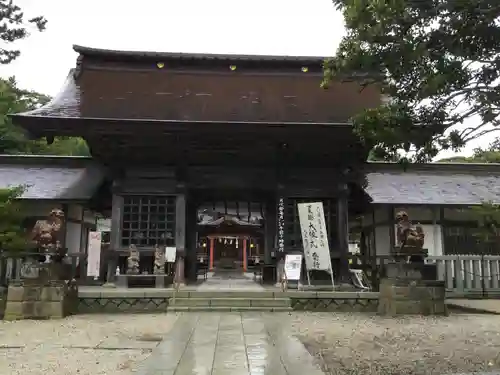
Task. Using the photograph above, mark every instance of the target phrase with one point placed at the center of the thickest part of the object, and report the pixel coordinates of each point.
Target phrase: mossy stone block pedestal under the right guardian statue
(407, 289)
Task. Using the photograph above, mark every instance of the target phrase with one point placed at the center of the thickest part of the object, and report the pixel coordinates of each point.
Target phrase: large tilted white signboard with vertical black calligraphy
(314, 236)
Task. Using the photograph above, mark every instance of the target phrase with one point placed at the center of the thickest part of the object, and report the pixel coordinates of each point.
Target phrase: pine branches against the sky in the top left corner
(15, 26)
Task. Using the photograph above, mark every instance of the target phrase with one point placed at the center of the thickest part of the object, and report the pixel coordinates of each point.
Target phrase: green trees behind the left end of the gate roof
(13, 140)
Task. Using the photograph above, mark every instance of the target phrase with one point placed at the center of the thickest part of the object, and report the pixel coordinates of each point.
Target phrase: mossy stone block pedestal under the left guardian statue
(32, 301)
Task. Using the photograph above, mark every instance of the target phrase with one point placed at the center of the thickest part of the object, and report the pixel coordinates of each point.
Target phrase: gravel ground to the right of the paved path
(367, 344)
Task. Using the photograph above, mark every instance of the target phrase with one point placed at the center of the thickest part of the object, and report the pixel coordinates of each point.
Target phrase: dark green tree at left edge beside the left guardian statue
(12, 234)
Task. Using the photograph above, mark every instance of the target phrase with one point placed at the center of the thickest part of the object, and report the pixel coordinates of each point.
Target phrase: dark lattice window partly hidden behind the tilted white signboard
(293, 237)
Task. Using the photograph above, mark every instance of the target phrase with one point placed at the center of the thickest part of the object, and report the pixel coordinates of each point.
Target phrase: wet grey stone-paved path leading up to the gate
(229, 344)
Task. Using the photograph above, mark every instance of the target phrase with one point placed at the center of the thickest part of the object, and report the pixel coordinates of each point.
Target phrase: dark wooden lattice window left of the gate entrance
(148, 221)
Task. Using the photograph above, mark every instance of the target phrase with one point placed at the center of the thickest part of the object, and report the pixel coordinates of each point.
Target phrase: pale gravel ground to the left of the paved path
(80, 345)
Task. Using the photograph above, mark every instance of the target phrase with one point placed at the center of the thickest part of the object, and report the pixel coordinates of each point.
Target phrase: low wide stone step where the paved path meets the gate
(230, 302)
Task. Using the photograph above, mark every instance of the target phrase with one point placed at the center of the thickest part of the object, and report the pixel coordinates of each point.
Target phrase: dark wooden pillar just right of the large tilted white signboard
(343, 232)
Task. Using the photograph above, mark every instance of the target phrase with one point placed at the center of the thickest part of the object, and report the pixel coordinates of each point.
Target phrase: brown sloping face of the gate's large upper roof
(249, 96)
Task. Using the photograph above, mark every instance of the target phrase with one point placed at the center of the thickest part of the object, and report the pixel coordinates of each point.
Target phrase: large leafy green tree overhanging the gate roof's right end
(437, 62)
